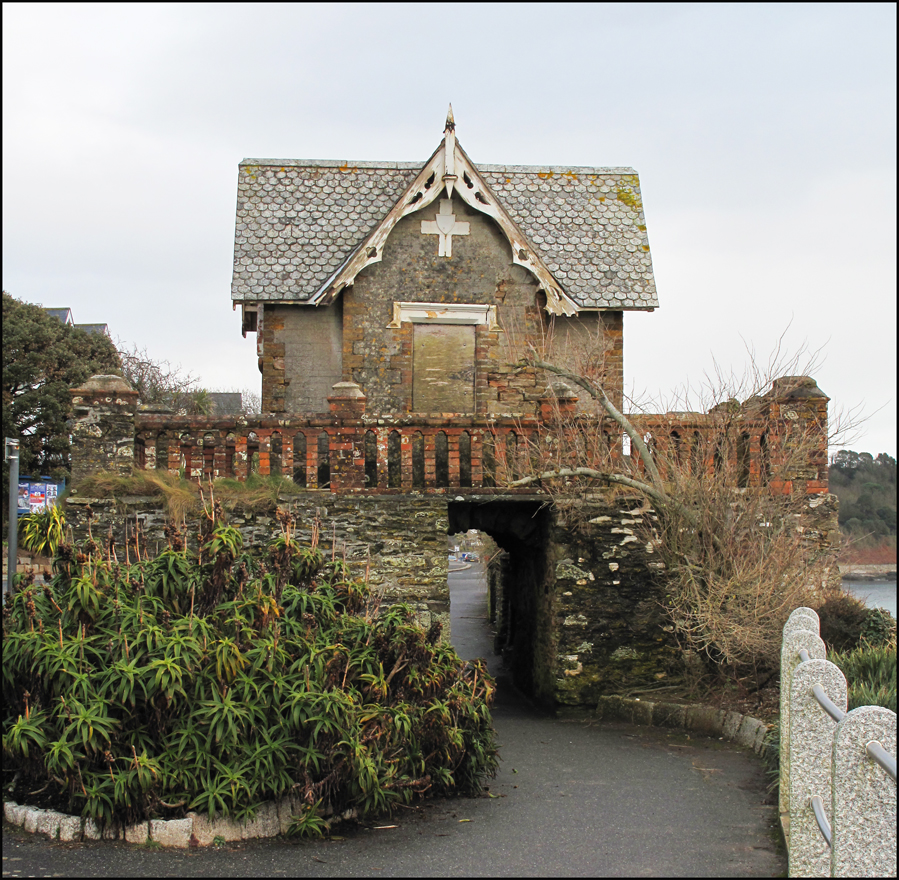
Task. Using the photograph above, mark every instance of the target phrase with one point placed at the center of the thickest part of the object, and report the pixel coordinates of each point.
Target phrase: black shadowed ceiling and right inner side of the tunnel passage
(522, 614)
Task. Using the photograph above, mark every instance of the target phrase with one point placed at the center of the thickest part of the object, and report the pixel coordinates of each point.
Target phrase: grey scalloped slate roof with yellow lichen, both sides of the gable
(299, 221)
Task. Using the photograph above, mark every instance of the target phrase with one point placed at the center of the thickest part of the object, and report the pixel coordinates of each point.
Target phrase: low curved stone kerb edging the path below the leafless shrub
(731, 726)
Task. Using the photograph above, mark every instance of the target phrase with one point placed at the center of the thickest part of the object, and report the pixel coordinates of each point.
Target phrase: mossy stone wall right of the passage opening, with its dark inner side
(578, 613)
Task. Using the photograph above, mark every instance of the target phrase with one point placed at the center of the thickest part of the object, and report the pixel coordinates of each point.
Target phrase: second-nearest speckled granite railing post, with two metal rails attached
(811, 764)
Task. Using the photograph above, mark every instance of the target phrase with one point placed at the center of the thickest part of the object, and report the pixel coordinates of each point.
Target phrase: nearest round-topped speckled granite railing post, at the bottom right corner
(864, 796)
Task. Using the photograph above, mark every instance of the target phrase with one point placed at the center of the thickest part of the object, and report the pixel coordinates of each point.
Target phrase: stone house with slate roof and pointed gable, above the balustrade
(414, 280)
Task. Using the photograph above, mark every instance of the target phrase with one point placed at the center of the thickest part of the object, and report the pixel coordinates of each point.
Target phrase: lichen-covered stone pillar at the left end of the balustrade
(103, 426)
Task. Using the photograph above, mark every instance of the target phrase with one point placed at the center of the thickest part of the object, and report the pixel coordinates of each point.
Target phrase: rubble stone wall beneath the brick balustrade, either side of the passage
(578, 603)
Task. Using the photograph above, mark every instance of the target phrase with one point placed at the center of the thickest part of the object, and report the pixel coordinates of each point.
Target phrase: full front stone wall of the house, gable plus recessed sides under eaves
(297, 344)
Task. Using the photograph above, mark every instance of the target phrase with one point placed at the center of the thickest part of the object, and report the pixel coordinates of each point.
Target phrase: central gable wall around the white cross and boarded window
(480, 271)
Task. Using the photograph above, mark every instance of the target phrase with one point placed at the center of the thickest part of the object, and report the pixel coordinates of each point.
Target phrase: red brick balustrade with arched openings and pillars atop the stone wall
(350, 450)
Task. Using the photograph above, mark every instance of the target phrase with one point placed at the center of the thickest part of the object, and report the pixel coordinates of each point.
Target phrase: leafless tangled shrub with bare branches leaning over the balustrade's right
(743, 530)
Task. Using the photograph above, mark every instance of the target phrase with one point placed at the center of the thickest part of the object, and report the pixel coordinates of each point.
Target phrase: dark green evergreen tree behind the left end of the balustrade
(42, 359)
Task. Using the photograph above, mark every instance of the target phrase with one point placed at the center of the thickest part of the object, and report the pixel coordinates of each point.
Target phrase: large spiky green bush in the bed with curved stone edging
(221, 679)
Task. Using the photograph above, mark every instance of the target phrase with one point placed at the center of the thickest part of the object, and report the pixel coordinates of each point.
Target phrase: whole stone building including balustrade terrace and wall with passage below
(389, 302)
